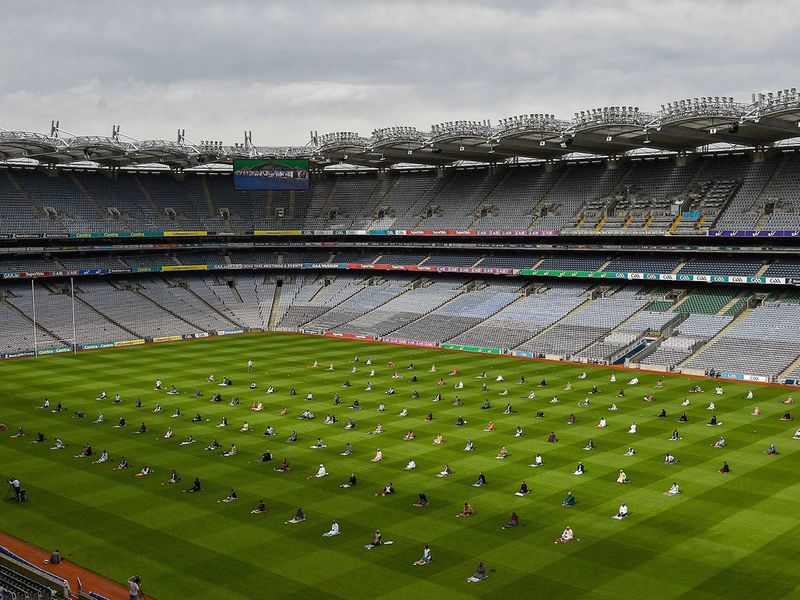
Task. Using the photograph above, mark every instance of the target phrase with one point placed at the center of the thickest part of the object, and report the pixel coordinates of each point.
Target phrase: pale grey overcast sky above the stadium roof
(282, 69)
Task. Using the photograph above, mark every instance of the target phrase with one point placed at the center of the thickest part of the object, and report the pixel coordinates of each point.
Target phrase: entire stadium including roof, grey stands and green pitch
(406, 362)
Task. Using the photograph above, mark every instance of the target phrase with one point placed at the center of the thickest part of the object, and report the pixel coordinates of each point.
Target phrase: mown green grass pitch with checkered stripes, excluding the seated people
(729, 535)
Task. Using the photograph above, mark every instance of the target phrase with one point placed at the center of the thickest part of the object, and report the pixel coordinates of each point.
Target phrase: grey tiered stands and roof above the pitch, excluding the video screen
(663, 240)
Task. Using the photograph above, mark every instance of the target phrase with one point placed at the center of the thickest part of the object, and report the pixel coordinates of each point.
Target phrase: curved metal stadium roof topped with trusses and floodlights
(679, 126)
